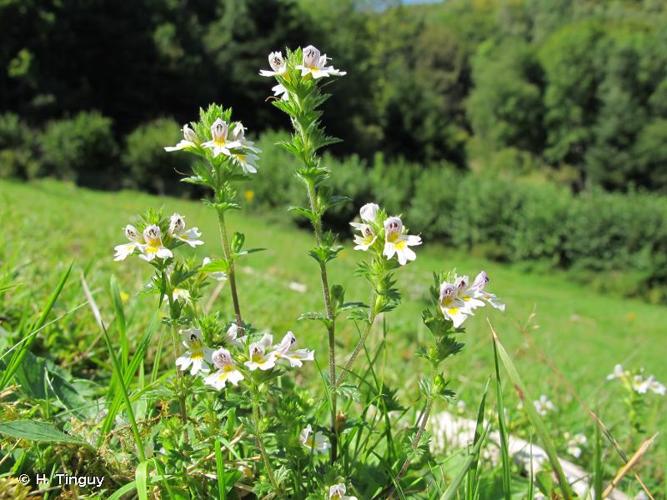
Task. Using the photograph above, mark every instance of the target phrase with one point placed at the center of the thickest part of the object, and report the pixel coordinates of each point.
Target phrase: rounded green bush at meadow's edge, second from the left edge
(81, 149)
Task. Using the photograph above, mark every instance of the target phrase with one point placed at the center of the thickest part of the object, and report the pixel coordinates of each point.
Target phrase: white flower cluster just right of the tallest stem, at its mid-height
(389, 231)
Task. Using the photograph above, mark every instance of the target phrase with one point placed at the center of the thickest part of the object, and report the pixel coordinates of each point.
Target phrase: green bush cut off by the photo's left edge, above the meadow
(17, 148)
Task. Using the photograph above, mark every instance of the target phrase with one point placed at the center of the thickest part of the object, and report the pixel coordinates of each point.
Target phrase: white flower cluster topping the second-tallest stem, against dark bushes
(222, 139)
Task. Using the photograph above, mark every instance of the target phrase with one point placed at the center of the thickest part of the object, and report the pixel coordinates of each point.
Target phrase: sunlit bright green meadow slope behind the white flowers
(47, 225)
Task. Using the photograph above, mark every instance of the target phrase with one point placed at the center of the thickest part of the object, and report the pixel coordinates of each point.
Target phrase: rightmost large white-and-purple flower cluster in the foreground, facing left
(459, 298)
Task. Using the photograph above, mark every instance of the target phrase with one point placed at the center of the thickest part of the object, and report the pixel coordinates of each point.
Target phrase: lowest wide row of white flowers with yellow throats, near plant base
(262, 355)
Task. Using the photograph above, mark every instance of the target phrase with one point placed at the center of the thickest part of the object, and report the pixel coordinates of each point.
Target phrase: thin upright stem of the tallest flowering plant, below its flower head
(331, 320)
